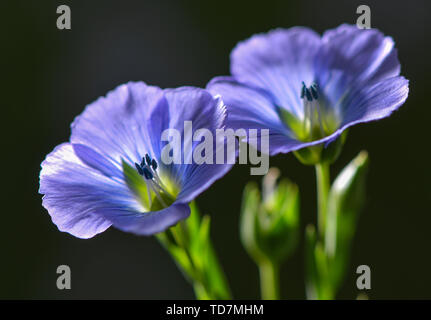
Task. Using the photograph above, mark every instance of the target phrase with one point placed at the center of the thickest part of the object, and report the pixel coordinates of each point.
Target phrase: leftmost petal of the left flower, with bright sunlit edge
(73, 192)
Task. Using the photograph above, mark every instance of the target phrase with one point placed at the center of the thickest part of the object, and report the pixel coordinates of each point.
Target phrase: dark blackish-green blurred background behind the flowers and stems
(48, 76)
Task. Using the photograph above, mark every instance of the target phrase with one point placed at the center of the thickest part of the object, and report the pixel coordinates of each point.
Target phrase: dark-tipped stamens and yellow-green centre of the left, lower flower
(158, 193)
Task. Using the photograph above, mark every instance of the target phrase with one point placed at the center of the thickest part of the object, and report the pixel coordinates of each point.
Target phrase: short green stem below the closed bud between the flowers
(269, 280)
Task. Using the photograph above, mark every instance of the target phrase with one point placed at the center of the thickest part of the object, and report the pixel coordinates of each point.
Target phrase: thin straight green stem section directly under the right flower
(323, 185)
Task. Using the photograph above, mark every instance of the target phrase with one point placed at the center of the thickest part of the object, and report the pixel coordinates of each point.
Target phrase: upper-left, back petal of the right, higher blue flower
(278, 61)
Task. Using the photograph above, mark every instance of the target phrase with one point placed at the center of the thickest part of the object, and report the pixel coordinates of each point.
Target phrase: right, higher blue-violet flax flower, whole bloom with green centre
(307, 89)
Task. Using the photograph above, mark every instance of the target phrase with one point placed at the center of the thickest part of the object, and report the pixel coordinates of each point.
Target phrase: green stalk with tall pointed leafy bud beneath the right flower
(328, 248)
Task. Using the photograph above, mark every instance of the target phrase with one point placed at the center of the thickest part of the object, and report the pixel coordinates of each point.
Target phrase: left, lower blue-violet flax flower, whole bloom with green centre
(111, 173)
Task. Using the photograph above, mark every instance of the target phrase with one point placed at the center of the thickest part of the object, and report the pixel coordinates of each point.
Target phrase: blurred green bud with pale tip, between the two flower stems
(269, 223)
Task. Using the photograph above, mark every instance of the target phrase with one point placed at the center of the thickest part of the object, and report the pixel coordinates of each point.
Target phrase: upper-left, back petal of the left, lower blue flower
(115, 126)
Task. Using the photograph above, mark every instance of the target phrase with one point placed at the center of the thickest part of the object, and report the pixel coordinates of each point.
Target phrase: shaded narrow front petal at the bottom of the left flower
(150, 222)
